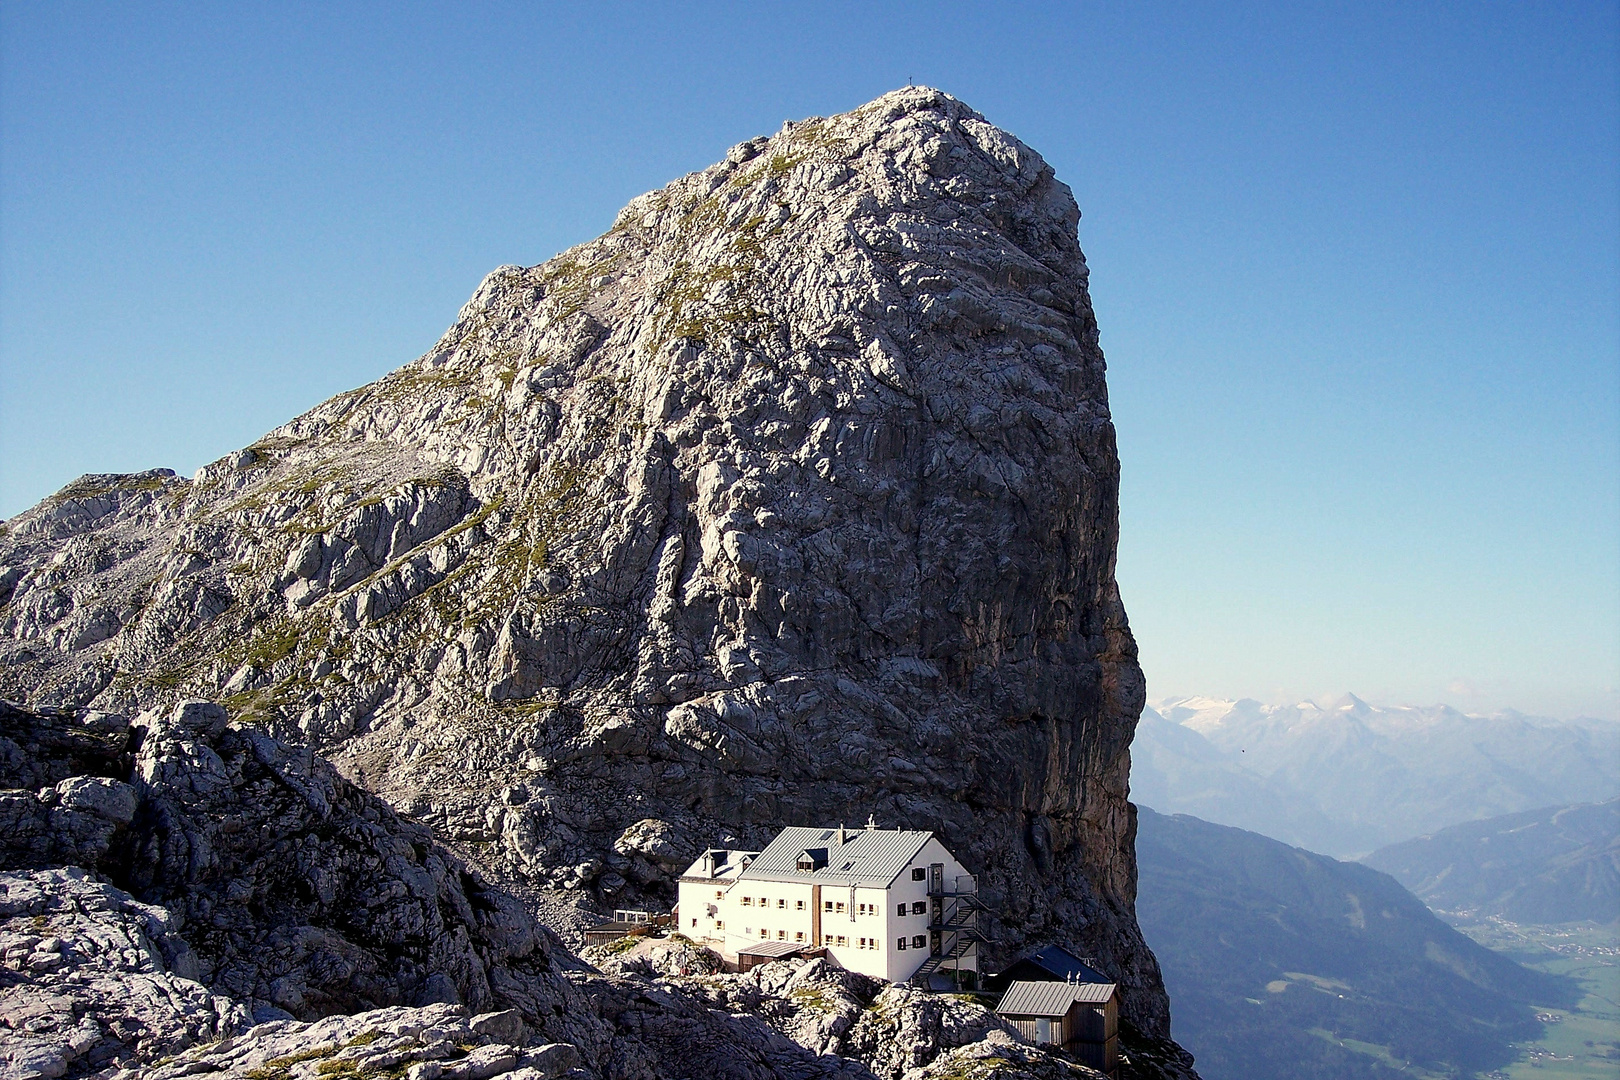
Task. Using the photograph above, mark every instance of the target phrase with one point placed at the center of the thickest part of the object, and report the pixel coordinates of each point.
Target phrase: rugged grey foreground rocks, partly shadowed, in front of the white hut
(310, 933)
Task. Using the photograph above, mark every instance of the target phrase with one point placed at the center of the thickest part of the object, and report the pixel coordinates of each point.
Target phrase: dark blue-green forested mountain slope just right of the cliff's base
(1284, 964)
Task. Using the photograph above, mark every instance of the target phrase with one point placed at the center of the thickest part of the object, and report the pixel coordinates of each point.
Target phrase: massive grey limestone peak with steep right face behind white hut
(791, 500)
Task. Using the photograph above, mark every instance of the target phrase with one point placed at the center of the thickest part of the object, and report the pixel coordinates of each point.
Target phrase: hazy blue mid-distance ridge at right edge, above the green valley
(1553, 865)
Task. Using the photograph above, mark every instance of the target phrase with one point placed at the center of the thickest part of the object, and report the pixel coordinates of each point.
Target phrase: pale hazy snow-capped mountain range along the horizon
(1350, 778)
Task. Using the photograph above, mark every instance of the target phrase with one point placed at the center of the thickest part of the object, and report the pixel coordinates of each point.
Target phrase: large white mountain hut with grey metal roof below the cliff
(887, 903)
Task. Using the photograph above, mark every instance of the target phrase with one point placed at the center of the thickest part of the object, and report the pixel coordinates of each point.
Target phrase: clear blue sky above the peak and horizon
(1357, 270)
